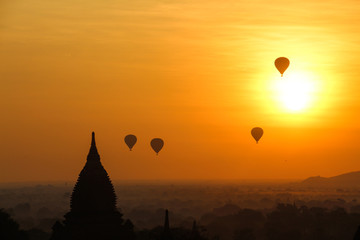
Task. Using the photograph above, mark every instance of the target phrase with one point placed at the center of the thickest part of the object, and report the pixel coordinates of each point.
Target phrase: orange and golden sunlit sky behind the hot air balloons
(199, 74)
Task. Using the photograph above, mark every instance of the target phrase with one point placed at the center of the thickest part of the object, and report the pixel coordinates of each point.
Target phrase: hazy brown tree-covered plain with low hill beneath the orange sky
(228, 210)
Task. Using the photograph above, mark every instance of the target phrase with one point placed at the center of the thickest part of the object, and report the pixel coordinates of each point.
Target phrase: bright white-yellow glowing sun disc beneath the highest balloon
(295, 91)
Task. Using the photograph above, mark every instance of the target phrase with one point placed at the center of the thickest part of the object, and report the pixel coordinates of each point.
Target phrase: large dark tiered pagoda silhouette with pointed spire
(93, 214)
